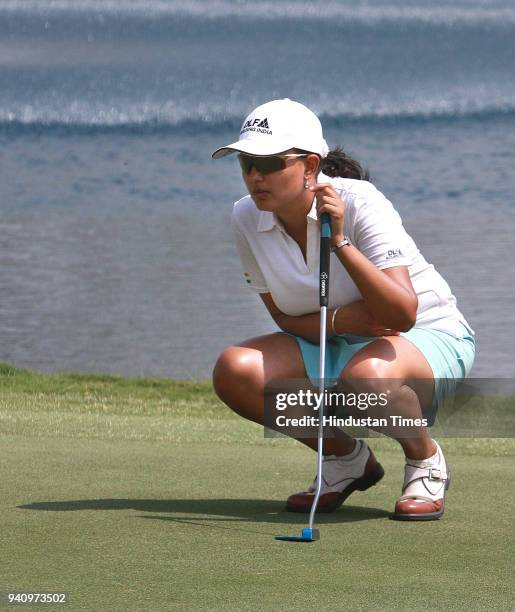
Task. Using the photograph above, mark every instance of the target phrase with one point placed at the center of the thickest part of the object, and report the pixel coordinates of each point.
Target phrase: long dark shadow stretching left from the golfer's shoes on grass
(212, 510)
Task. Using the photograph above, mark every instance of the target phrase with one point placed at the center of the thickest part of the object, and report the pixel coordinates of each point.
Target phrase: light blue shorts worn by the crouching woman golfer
(450, 358)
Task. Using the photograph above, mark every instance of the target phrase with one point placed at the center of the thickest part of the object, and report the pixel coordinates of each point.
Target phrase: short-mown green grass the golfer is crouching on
(150, 495)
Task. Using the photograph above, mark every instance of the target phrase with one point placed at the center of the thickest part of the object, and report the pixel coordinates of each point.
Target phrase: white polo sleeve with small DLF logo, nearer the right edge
(378, 232)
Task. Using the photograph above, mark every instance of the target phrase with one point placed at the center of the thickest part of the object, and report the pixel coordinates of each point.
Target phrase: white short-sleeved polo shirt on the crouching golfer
(273, 262)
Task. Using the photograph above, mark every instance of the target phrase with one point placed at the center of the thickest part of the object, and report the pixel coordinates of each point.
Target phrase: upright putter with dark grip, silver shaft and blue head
(310, 534)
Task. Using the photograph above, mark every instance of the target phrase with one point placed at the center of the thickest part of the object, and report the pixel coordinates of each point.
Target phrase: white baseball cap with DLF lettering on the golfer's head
(278, 126)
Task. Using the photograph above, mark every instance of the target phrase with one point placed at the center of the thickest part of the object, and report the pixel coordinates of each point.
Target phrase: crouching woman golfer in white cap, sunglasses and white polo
(391, 316)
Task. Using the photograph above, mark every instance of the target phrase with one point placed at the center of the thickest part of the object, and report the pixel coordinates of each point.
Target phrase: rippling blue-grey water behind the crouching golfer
(115, 249)
